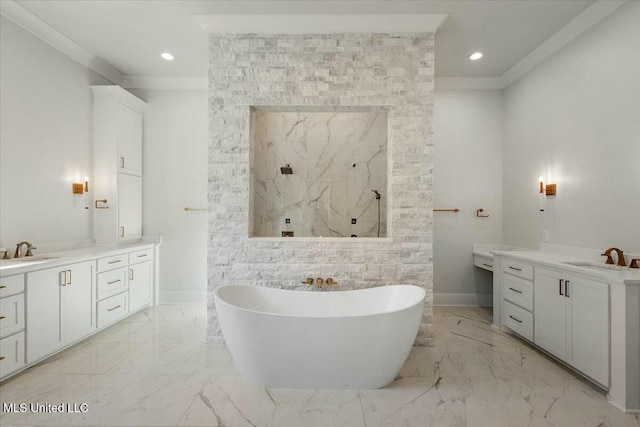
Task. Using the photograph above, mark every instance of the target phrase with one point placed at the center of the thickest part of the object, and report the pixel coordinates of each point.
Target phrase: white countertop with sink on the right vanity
(624, 275)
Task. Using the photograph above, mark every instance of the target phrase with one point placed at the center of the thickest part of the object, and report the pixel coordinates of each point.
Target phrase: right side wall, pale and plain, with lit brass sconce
(576, 119)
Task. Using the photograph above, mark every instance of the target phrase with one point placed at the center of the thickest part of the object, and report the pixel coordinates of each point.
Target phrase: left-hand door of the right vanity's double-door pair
(550, 331)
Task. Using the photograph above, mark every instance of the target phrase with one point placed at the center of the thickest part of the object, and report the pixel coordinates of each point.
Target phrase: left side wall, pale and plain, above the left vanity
(45, 141)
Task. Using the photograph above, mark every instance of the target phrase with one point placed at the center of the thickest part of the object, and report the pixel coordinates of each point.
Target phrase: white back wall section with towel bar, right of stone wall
(467, 176)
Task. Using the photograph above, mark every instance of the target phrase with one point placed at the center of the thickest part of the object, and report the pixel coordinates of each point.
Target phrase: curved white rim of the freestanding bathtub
(269, 313)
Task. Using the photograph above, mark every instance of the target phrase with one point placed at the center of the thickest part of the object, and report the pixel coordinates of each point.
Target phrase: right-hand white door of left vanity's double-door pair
(77, 302)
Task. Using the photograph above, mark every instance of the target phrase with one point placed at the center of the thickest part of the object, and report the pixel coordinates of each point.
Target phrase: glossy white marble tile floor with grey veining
(154, 369)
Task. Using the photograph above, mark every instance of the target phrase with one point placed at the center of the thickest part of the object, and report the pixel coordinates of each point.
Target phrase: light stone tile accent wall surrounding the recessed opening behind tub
(386, 70)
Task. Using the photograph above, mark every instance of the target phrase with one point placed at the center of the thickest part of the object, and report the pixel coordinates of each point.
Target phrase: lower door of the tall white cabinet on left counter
(129, 207)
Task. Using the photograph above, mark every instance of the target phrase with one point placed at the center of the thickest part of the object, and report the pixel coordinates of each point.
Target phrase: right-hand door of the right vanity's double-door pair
(589, 325)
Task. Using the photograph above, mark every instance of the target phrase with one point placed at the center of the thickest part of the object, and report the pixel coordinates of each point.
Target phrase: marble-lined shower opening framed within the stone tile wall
(318, 172)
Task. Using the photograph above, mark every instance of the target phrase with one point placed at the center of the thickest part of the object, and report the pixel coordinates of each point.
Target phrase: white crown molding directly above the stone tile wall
(320, 24)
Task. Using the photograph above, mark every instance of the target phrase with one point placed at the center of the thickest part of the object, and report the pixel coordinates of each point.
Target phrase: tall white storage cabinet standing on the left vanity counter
(117, 165)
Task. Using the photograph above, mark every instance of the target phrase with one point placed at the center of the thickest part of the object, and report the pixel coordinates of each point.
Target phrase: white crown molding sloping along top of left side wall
(55, 38)
